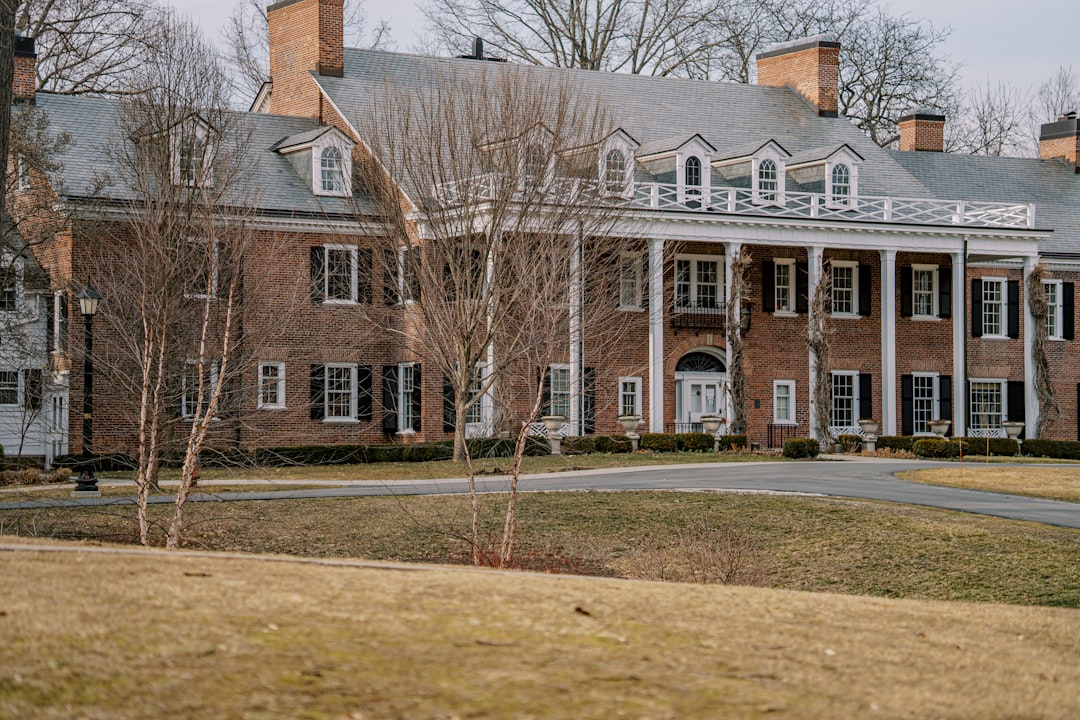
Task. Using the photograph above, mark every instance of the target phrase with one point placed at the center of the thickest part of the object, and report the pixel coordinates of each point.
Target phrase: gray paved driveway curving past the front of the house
(868, 479)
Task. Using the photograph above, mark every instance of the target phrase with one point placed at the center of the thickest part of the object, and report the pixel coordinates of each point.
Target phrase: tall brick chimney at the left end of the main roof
(306, 37)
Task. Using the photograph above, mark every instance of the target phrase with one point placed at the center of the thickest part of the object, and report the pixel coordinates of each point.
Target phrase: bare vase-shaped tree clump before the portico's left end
(492, 232)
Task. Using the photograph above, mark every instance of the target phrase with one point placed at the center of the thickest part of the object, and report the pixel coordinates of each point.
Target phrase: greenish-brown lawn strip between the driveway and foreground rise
(839, 546)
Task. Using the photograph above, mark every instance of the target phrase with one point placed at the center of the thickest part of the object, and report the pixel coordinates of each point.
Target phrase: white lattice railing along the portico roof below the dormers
(744, 201)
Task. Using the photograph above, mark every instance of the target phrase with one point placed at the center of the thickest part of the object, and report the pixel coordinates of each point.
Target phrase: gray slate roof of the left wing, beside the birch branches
(96, 130)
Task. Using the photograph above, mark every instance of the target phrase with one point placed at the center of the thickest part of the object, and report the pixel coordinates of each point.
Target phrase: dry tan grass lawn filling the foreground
(88, 635)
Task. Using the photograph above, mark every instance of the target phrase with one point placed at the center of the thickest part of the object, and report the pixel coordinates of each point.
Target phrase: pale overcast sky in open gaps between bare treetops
(1019, 42)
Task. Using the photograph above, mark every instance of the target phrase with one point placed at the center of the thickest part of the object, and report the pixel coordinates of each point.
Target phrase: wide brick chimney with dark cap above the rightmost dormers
(811, 66)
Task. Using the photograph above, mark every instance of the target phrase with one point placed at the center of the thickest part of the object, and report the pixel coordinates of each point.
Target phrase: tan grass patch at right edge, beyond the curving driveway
(1051, 483)
